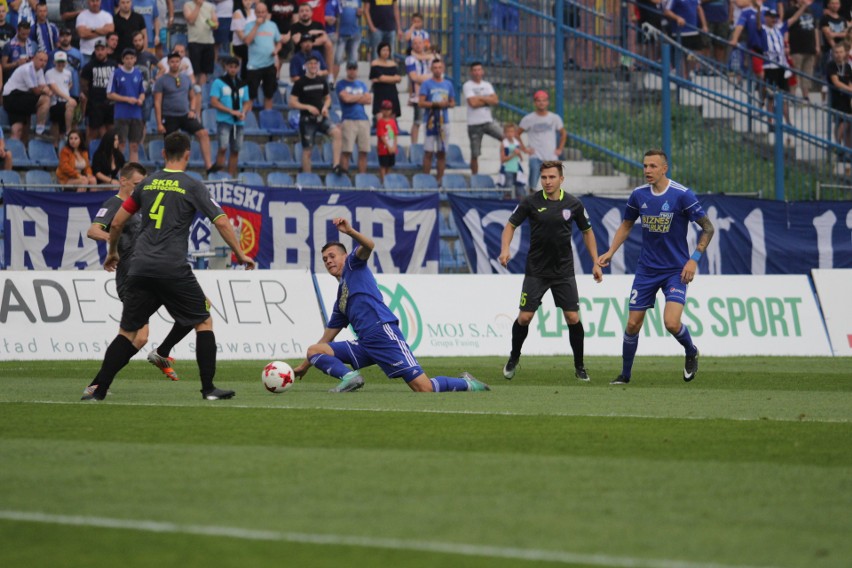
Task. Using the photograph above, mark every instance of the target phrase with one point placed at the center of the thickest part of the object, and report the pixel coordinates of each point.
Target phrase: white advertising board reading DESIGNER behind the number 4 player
(262, 314)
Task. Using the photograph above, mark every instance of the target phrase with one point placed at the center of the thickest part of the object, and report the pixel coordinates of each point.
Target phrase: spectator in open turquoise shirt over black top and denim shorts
(229, 96)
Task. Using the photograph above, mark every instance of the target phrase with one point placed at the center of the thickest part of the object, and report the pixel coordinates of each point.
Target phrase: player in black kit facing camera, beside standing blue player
(550, 261)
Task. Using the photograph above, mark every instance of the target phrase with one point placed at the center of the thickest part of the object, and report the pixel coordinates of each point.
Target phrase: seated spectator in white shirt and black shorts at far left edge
(26, 93)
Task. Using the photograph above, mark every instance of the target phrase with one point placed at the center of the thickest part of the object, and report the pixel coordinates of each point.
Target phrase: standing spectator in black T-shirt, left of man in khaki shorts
(312, 97)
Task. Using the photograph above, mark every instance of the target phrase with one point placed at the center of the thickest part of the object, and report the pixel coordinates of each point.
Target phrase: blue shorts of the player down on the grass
(384, 346)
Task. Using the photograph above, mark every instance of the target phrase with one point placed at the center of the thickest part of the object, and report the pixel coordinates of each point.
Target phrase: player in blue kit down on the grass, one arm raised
(380, 342)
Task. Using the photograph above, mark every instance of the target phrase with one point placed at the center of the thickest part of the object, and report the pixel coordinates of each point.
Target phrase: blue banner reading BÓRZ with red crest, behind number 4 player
(280, 228)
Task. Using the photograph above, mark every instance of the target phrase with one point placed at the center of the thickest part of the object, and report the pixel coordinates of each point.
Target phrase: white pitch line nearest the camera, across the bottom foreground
(484, 551)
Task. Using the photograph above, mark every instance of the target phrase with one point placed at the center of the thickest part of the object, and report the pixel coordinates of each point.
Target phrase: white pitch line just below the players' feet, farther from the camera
(756, 418)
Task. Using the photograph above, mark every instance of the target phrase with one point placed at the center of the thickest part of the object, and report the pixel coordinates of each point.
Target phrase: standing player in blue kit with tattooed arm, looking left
(666, 208)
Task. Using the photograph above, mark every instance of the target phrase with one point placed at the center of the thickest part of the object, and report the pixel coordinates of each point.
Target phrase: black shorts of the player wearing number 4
(181, 295)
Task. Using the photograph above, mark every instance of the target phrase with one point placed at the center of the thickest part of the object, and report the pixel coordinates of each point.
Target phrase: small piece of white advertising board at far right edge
(834, 288)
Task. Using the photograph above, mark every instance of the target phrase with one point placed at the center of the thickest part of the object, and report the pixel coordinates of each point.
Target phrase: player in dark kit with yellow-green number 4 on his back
(159, 274)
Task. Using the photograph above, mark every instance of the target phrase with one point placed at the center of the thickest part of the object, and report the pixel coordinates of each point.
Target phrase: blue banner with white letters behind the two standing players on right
(753, 236)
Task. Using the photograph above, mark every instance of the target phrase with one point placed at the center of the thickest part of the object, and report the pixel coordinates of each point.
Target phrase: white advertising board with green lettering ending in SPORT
(727, 315)
